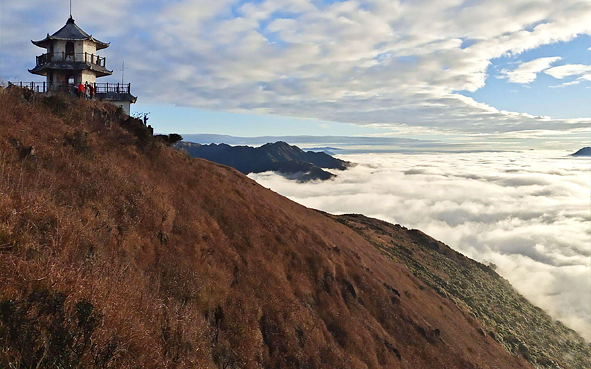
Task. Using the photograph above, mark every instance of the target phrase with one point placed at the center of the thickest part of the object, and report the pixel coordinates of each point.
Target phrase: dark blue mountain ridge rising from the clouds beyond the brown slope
(287, 160)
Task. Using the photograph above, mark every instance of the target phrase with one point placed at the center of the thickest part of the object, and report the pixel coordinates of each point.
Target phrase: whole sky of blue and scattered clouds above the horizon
(456, 71)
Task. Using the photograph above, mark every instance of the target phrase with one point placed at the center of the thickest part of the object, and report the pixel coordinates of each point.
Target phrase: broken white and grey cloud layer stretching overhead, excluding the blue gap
(389, 62)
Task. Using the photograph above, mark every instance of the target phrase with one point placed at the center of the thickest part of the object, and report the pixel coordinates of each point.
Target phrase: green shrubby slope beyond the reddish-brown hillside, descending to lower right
(521, 327)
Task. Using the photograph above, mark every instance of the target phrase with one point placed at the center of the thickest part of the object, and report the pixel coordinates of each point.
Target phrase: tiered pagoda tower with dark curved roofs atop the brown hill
(71, 58)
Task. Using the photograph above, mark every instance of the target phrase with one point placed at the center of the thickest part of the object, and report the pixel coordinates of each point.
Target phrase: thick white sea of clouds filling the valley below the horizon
(527, 212)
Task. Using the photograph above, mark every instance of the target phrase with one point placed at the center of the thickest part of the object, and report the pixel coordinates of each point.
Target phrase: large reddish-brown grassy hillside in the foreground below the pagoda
(118, 251)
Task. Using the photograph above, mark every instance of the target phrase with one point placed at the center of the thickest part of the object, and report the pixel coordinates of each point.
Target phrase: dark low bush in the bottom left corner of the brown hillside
(41, 331)
